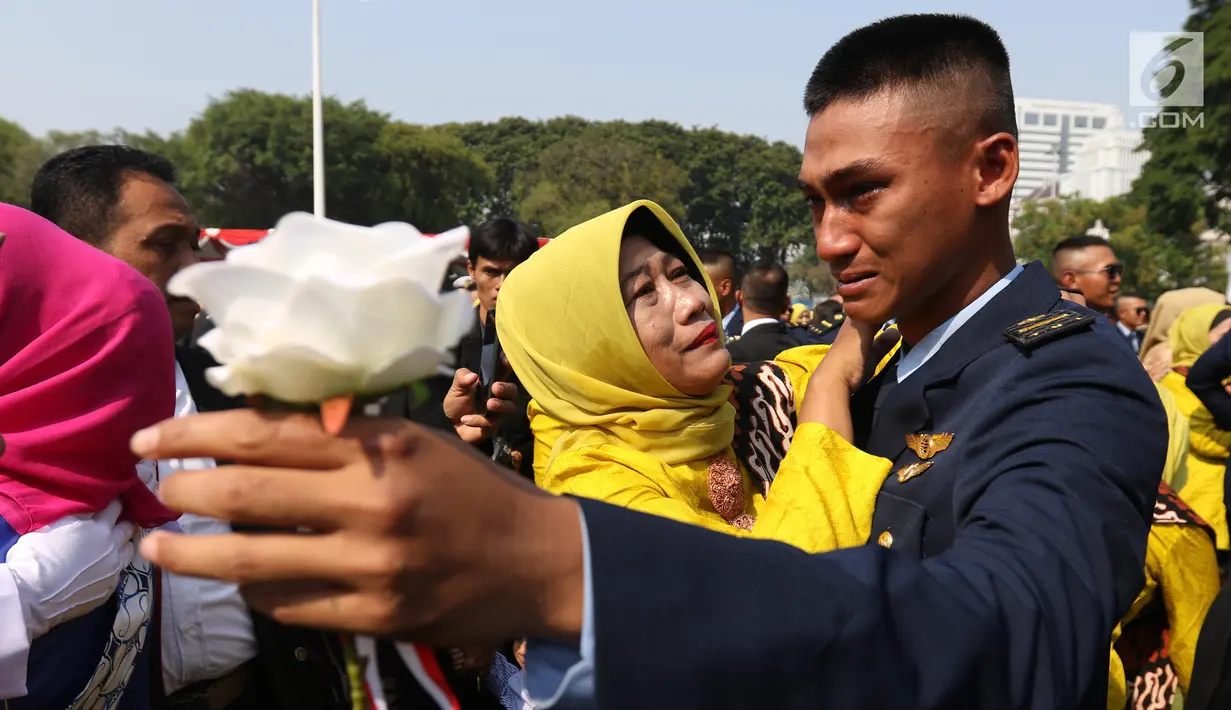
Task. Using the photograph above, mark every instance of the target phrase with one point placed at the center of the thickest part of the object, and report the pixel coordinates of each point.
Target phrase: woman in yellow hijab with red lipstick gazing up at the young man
(612, 332)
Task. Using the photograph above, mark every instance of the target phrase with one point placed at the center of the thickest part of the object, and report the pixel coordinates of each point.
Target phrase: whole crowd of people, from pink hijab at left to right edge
(961, 483)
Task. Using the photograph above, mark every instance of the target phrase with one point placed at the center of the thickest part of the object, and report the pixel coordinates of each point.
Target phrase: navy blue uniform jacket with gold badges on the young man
(1012, 558)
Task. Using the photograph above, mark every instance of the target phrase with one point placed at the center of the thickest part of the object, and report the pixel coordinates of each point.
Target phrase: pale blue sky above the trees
(738, 66)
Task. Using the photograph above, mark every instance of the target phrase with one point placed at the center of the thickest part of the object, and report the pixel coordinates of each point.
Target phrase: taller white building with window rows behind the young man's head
(1051, 136)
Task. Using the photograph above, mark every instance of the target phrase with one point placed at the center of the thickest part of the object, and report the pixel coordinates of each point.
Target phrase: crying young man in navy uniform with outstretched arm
(1027, 455)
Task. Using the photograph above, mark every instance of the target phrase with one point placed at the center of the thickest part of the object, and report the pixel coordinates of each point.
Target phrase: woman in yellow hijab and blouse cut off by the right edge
(1209, 446)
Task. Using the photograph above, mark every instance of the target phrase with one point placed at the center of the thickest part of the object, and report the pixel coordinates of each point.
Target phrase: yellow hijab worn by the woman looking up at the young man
(566, 330)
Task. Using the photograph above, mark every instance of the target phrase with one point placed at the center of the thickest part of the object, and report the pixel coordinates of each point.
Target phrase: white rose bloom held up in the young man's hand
(322, 309)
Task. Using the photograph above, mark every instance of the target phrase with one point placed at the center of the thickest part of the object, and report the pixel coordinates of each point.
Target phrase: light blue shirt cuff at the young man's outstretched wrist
(562, 676)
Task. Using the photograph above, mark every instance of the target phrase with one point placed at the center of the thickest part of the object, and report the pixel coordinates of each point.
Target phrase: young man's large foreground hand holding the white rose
(415, 537)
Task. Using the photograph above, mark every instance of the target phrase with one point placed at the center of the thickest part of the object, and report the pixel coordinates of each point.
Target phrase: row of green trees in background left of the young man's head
(247, 161)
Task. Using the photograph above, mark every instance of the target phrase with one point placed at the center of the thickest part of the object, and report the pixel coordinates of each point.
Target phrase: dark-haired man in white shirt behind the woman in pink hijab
(124, 201)
